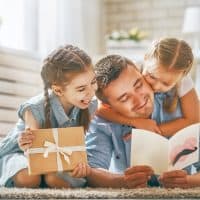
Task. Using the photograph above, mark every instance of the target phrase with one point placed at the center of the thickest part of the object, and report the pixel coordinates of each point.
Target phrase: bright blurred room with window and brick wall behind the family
(30, 29)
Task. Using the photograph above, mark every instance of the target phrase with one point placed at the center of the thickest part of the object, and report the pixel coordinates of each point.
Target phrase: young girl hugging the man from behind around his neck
(165, 68)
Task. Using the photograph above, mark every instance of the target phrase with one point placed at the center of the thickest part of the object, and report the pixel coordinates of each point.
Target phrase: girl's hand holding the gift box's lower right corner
(81, 170)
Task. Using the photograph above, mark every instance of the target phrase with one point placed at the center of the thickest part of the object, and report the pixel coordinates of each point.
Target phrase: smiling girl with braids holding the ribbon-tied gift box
(68, 74)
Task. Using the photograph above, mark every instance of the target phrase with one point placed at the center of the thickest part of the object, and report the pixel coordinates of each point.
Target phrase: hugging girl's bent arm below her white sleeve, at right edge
(190, 108)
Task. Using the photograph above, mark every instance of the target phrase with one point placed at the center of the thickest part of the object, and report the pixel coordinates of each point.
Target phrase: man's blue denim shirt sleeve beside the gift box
(99, 145)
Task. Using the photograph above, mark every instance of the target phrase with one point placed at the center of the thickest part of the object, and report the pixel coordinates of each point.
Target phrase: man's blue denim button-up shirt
(104, 139)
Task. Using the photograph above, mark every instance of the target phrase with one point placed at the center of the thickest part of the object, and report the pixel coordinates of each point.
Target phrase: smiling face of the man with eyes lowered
(130, 95)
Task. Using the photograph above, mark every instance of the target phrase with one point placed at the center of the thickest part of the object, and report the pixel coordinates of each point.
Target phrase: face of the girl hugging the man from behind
(160, 78)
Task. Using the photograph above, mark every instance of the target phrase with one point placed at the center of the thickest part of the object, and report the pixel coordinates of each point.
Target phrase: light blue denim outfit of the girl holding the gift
(12, 159)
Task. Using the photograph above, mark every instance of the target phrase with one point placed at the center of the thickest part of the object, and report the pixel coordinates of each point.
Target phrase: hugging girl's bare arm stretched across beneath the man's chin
(107, 113)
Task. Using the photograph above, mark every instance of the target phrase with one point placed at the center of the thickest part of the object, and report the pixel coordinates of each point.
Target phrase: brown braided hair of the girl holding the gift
(59, 68)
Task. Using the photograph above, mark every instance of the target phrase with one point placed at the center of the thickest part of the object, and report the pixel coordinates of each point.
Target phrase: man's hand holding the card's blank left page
(137, 177)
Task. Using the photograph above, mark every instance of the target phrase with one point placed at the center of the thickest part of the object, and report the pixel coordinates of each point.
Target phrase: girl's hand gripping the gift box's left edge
(25, 139)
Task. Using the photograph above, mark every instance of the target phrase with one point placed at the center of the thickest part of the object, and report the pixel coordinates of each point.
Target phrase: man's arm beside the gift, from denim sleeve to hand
(99, 146)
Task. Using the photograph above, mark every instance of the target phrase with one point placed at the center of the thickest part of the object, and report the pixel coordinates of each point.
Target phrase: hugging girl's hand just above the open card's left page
(147, 124)
